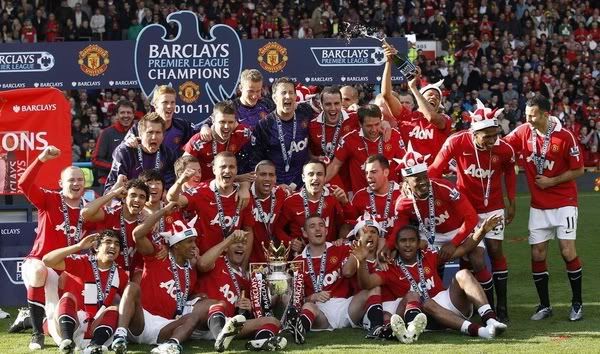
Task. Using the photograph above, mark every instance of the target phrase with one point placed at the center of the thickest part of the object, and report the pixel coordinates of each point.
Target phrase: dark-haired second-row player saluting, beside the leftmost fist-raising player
(122, 219)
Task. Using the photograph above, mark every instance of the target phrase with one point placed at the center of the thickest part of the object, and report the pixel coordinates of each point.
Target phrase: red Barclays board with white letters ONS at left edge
(30, 120)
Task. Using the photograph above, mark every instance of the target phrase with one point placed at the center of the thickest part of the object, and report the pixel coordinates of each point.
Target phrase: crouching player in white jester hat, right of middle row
(445, 217)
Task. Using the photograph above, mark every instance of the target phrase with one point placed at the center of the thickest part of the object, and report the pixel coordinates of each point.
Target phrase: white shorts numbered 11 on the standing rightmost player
(545, 224)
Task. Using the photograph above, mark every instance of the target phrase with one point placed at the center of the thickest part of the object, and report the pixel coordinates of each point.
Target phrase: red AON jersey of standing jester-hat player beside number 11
(474, 168)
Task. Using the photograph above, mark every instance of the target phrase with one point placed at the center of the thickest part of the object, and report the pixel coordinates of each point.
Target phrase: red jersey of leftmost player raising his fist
(51, 233)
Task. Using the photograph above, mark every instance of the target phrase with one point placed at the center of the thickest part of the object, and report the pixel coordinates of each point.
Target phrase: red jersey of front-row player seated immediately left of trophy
(217, 284)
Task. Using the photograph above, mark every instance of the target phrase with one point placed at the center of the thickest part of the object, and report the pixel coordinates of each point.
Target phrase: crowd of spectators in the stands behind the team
(498, 52)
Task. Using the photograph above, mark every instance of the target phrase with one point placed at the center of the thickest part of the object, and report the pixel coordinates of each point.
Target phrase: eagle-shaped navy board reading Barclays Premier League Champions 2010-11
(203, 71)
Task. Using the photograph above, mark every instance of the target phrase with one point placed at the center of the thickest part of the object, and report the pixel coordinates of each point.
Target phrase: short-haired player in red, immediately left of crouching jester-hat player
(379, 197)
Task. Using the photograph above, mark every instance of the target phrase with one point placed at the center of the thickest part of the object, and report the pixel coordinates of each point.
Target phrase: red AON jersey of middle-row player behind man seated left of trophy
(208, 225)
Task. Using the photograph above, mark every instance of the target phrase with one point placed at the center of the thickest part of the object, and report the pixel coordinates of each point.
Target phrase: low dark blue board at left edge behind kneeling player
(16, 240)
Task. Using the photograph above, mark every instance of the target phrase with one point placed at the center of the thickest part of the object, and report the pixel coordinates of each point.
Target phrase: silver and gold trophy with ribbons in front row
(276, 283)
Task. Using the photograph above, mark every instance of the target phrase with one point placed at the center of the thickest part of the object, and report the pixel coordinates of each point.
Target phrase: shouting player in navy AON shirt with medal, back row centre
(282, 136)
